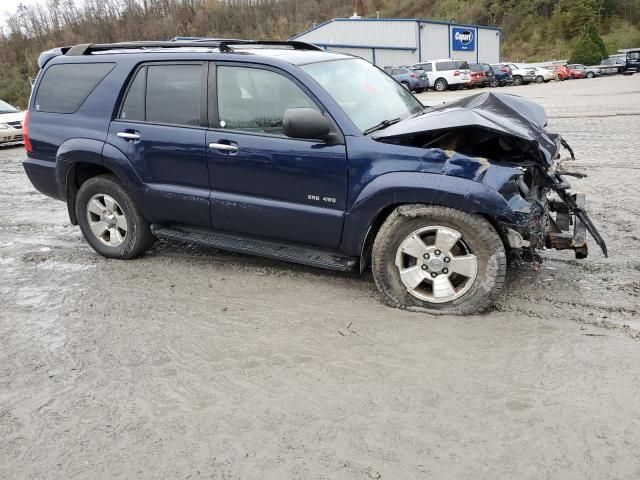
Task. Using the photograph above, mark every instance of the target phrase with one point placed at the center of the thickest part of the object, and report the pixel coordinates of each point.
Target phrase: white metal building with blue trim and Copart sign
(399, 41)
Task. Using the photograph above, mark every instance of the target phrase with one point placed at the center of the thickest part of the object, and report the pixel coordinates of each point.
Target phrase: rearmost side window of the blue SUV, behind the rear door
(65, 87)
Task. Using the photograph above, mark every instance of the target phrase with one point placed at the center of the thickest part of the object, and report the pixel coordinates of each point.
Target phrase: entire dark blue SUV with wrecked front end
(287, 151)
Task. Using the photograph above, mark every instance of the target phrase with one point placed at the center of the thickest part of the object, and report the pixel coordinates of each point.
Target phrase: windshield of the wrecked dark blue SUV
(367, 95)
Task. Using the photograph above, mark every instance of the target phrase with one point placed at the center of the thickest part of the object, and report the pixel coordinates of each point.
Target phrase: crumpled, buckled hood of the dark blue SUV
(508, 114)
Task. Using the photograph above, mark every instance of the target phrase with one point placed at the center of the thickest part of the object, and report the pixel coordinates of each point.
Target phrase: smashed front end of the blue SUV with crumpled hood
(500, 141)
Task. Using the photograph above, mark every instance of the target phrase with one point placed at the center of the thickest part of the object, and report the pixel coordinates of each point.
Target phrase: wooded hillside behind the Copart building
(534, 30)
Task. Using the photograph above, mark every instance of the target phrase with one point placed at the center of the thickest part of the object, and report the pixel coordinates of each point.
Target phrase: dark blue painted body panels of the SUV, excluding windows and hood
(269, 188)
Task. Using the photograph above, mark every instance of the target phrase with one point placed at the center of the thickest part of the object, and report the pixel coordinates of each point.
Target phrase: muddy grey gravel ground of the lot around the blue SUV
(194, 363)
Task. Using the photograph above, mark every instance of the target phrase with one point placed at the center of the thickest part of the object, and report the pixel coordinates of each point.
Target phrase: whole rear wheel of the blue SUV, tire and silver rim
(110, 221)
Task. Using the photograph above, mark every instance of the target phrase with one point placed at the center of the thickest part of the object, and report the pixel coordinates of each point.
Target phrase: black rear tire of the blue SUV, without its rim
(138, 237)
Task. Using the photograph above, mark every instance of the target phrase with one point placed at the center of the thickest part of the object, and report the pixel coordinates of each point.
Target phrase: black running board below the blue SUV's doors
(305, 255)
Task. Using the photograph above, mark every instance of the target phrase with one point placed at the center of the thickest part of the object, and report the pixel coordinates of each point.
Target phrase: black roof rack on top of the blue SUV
(223, 44)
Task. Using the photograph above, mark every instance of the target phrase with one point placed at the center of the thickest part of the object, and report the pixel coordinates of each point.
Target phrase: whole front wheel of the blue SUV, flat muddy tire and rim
(438, 260)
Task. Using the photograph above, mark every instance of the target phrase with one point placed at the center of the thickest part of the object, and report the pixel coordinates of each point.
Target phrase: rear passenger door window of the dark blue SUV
(167, 94)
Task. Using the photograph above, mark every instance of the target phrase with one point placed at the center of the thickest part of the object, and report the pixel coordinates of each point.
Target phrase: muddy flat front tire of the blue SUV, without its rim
(478, 234)
